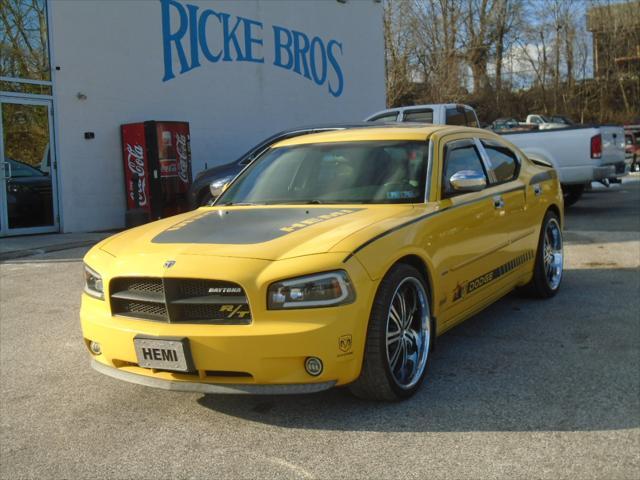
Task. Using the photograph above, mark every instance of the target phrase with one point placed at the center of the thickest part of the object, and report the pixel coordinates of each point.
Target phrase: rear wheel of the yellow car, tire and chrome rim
(548, 267)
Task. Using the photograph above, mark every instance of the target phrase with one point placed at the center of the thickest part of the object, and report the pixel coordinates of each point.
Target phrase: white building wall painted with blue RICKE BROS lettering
(113, 53)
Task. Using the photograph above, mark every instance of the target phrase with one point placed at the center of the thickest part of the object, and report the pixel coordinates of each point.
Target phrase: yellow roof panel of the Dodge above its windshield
(390, 131)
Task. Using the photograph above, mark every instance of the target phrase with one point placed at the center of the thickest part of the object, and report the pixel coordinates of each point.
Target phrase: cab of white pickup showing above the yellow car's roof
(438, 114)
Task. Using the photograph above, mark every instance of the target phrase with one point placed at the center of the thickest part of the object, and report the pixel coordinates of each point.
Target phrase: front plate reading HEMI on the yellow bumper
(164, 353)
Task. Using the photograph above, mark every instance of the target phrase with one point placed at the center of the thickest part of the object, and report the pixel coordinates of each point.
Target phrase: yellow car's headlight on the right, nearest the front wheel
(322, 290)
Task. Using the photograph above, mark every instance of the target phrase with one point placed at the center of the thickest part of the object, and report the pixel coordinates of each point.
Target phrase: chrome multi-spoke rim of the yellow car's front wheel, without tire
(408, 332)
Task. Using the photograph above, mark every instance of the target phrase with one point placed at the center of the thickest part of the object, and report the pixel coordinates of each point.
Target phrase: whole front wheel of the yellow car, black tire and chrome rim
(399, 338)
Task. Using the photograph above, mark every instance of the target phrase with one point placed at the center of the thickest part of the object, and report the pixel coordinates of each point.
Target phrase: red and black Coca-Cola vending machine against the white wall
(157, 166)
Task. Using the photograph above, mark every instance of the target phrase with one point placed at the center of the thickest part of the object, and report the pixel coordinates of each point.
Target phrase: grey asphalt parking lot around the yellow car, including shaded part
(526, 389)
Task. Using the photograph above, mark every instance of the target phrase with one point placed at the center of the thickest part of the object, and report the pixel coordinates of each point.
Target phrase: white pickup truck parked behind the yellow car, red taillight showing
(581, 154)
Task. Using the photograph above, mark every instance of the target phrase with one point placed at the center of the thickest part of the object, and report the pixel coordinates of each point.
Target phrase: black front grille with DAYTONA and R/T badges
(180, 300)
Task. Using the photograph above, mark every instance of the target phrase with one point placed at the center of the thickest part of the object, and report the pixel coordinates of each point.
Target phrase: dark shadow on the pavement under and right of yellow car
(566, 364)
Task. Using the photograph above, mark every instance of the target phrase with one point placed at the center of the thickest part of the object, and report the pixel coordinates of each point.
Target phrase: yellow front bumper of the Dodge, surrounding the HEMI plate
(269, 352)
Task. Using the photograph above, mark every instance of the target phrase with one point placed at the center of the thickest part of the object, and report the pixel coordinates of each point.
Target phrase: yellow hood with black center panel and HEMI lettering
(261, 232)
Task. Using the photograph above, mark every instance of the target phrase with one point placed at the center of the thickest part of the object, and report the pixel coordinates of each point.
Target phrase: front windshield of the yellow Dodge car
(345, 172)
